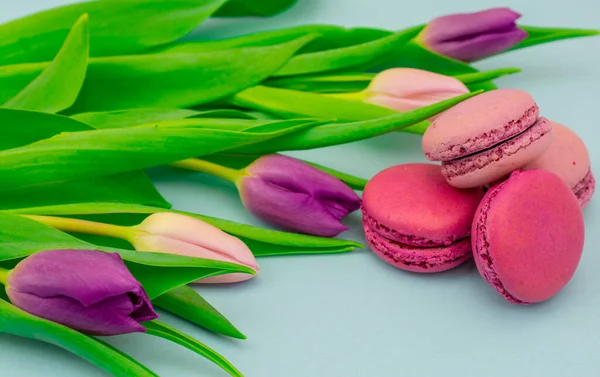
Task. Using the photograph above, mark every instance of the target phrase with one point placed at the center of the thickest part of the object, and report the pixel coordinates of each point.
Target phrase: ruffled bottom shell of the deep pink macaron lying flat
(417, 259)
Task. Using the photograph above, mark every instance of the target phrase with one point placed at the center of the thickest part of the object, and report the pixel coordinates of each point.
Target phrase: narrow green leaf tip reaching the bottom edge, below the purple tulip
(162, 330)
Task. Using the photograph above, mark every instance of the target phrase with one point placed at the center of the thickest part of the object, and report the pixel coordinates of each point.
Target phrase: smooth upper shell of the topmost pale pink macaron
(479, 123)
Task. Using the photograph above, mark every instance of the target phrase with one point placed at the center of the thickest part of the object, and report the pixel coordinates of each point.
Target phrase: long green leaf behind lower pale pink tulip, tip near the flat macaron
(286, 243)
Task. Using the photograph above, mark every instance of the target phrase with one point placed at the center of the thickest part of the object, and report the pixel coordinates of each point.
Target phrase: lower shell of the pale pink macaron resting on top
(495, 163)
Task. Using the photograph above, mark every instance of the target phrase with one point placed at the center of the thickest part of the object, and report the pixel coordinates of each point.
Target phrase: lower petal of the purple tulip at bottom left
(108, 317)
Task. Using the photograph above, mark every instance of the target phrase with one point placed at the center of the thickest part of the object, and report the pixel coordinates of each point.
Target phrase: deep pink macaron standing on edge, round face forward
(528, 236)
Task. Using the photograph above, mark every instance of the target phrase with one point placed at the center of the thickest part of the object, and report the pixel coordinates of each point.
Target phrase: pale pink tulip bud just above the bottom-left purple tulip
(173, 233)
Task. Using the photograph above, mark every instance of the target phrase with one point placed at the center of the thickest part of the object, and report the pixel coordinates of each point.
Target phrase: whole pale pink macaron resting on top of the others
(484, 138)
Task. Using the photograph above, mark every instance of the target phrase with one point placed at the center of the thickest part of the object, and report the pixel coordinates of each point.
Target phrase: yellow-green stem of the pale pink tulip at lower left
(83, 226)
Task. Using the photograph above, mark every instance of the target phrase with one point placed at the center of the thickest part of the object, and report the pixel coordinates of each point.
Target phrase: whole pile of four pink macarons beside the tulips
(526, 232)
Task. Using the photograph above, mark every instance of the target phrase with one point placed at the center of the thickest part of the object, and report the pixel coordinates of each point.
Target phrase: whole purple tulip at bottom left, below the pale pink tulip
(86, 290)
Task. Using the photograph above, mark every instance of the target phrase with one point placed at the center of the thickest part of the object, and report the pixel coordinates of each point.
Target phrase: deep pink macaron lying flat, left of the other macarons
(414, 220)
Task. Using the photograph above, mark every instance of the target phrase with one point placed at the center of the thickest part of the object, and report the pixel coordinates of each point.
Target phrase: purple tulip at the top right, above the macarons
(473, 36)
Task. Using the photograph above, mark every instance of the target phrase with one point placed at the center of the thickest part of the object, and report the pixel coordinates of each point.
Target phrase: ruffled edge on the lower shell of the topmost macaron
(501, 150)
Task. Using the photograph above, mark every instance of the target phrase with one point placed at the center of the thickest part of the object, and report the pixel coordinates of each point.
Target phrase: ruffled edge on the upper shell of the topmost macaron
(488, 139)
